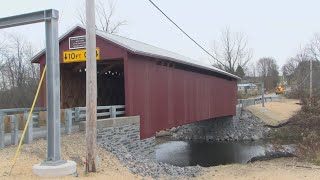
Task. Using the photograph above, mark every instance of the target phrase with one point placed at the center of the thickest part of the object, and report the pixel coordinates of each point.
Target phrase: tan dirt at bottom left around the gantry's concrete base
(72, 148)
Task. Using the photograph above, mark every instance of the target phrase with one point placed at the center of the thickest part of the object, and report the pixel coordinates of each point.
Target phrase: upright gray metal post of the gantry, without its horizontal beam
(53, 89)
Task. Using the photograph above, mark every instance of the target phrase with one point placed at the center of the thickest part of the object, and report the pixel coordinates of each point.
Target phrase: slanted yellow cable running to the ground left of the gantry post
(29, 117)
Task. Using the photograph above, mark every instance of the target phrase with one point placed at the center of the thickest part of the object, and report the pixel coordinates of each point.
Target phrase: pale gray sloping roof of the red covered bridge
(140, 48)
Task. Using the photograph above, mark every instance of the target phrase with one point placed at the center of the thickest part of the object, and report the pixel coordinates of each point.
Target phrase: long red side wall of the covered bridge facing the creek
(165, 97)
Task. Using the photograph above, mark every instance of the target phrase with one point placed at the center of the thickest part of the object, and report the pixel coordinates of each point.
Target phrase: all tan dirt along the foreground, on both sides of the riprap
(72, 148)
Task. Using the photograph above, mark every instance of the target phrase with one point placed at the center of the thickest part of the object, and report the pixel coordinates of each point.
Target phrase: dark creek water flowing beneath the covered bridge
(188, 153)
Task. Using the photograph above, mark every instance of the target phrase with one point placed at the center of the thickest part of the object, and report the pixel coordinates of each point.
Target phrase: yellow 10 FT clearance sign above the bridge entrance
(77, 55)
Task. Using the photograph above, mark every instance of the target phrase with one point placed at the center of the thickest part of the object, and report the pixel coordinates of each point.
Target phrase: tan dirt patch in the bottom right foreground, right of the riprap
(278, 169)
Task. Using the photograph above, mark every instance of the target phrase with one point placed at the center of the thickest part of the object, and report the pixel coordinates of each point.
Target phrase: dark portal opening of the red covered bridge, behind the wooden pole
(110, 83)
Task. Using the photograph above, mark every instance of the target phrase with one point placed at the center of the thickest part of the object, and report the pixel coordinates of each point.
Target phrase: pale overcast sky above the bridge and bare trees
(274, 28)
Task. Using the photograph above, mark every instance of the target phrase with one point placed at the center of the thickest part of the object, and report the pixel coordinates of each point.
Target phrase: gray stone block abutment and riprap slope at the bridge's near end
(121, 136)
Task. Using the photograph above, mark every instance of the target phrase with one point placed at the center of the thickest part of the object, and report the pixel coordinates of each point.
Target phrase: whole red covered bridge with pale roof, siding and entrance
(166, 89)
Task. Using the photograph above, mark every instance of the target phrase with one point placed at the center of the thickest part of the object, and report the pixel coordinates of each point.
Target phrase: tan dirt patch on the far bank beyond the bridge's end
(275, 113)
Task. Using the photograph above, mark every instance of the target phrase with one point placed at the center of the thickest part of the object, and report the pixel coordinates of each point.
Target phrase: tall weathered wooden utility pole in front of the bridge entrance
(91, 87)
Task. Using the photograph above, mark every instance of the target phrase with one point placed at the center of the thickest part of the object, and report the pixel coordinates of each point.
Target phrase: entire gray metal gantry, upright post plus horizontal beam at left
(50, 17)
